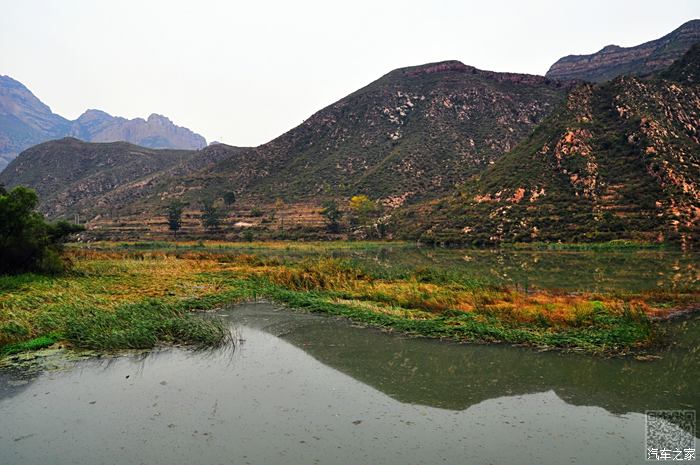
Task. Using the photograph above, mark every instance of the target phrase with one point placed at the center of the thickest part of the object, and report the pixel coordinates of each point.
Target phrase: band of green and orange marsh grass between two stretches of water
(131, 298)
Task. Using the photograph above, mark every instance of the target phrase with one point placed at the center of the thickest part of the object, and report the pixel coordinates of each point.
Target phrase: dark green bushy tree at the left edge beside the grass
(27, 241)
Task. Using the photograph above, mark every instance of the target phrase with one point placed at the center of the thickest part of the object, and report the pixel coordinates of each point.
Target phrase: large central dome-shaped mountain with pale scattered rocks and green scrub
(414, 133)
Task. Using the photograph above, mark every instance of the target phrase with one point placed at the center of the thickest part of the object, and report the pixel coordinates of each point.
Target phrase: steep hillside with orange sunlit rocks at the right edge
(617, 160)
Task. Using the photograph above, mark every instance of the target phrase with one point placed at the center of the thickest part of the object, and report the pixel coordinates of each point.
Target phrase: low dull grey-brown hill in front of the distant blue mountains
(76, 177)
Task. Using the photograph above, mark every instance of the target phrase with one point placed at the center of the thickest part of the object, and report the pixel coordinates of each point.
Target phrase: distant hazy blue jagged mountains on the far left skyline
(26, 121)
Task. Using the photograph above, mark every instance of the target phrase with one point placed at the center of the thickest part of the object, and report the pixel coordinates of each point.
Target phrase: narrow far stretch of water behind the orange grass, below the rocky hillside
(597, 271)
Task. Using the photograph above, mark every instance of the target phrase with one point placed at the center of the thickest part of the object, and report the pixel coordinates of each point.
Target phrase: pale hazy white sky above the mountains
(245, 72)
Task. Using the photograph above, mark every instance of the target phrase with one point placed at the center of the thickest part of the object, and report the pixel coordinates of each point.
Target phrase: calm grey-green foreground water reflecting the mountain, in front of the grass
(304, 389)
